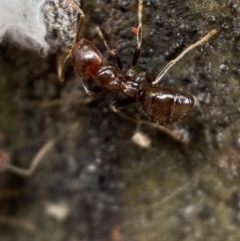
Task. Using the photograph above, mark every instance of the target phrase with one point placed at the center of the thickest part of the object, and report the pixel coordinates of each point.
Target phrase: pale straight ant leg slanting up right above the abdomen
(174, 61)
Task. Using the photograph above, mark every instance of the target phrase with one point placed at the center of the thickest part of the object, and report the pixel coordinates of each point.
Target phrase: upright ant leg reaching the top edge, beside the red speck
(137, 51)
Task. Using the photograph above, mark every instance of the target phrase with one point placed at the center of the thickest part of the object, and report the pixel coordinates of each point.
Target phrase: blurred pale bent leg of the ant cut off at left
(35, 162)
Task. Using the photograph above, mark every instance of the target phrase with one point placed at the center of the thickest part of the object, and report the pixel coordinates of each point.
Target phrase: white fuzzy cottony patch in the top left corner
(22, 22)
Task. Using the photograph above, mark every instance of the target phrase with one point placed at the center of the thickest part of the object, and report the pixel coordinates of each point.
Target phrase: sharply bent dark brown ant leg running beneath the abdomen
(116, 108)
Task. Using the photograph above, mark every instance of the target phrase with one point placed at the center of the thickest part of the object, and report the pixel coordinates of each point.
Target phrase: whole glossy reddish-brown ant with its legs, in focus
(162, 105)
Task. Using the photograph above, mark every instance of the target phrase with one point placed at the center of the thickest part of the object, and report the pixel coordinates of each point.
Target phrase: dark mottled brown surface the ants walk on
(106, 187)
